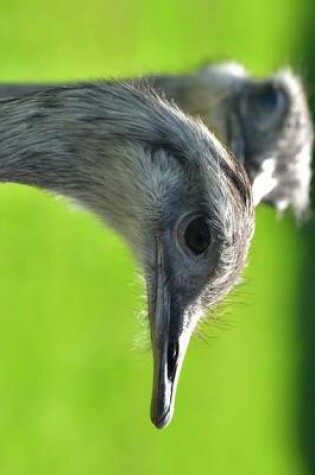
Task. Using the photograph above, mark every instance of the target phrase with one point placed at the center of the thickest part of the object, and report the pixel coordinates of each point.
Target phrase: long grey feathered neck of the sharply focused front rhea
(93, 143)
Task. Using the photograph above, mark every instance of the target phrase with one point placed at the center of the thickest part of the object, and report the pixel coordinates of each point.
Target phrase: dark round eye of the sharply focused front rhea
(197, 235)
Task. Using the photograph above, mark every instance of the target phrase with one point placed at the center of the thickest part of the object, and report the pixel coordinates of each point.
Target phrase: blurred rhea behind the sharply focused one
(265, 122)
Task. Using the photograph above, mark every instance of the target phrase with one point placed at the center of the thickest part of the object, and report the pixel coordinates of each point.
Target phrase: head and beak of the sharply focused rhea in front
(192, 225)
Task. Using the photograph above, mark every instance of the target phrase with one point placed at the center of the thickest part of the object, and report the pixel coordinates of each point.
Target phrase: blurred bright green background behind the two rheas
(74, 388)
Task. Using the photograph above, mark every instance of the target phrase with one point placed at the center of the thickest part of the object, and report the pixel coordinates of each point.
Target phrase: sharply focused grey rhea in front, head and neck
(160, 179)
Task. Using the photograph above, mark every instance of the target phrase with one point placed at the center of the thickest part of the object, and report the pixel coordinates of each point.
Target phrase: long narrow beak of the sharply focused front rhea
(169, 345)
